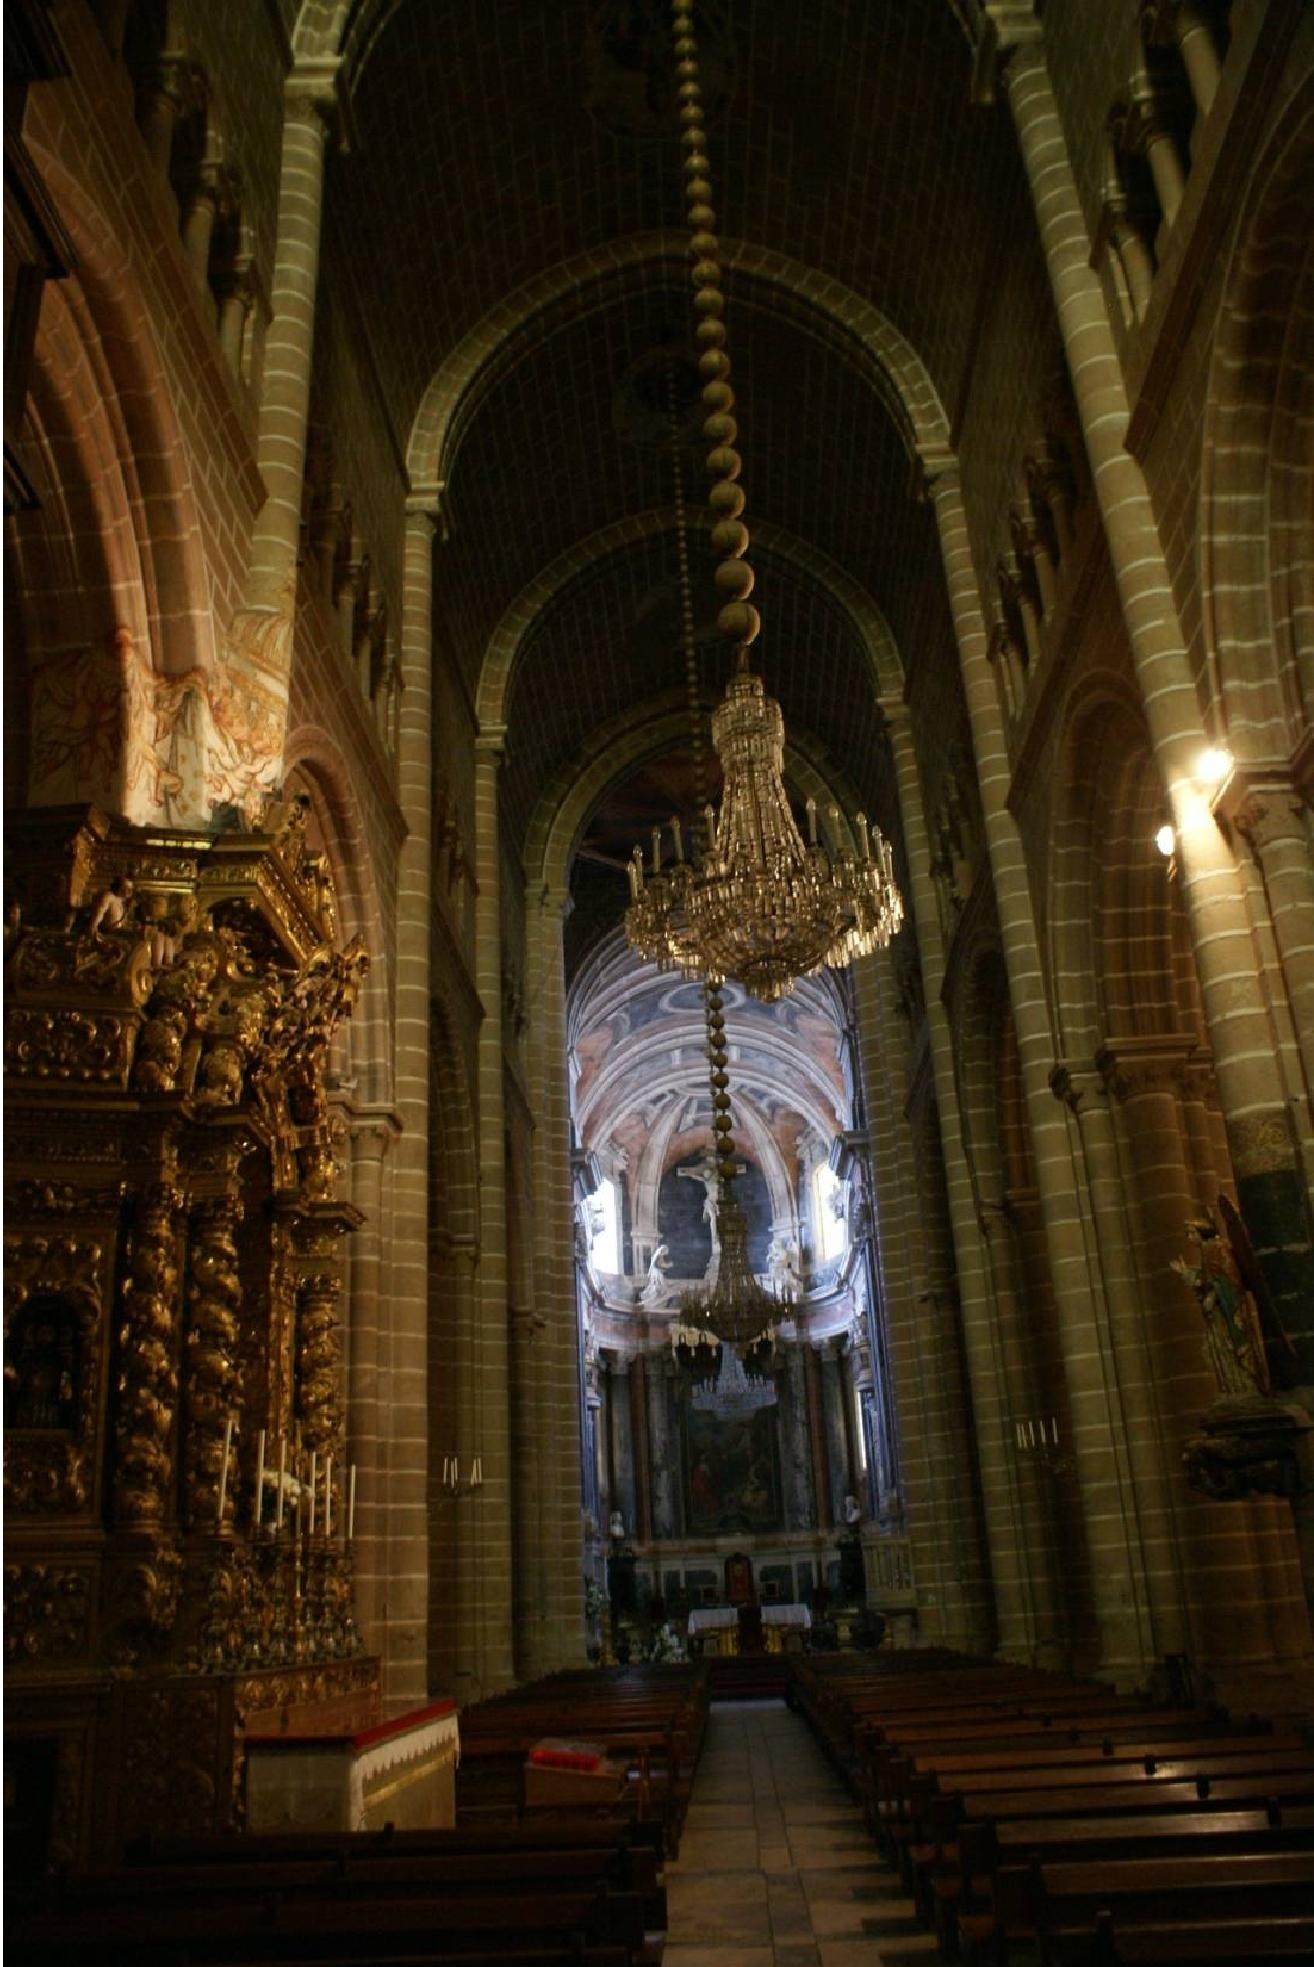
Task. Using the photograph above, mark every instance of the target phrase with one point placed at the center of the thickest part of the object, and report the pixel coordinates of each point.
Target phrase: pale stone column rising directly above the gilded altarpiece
(263, 630)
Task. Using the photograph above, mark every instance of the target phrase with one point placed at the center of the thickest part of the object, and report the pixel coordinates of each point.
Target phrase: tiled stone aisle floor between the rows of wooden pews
(776, 1866)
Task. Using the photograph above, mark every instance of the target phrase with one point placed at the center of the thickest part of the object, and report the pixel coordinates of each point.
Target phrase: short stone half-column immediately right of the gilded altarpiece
(367, 1386)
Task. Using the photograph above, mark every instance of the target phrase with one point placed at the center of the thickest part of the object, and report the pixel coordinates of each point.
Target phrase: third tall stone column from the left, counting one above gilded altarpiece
(485, 1368)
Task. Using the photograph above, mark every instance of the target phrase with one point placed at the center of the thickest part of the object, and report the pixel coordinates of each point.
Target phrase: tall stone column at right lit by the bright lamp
(1272, 1189)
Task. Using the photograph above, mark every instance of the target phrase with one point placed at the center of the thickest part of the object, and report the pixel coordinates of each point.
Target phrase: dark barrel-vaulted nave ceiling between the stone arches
(530, 149)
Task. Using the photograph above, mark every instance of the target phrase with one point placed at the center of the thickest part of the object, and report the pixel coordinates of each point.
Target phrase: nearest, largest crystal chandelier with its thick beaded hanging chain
(752, 900)
